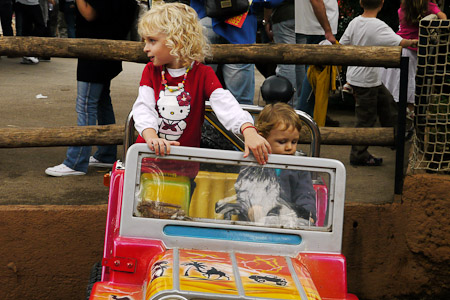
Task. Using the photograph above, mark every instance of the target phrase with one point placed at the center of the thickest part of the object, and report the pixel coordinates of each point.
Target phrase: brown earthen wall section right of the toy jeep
(401, 250)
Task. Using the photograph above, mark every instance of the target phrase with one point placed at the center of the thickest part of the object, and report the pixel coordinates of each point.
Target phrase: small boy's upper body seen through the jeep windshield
(276, 197)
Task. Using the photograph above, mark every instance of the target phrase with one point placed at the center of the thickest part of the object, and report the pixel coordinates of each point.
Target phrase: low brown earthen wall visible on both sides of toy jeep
(394, 251)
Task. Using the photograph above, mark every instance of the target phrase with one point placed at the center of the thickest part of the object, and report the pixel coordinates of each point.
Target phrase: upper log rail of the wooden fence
(255, 53)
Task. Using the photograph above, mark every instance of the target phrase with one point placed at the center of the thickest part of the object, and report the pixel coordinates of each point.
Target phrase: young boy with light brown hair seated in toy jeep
(278, 196)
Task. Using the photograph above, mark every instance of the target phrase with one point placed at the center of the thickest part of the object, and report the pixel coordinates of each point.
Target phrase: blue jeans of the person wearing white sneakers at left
(93, 104)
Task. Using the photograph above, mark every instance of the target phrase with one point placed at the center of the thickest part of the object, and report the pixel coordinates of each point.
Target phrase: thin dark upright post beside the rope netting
(401, 126)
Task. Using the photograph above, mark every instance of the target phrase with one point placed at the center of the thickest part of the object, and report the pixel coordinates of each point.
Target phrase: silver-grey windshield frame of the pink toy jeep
(322, 239)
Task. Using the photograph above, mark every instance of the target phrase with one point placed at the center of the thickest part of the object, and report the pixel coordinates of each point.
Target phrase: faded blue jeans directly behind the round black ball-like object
(284, 33)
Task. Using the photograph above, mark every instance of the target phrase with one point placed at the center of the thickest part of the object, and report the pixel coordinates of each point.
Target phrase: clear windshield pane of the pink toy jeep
(246, 195)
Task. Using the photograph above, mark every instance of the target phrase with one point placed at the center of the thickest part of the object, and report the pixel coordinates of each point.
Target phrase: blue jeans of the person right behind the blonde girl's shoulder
(239, 78)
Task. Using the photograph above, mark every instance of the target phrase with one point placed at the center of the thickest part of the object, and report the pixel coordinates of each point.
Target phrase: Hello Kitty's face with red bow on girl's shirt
(174, 106)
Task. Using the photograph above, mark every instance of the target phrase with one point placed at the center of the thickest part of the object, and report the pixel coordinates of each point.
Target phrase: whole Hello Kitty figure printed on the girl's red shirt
(173, 108)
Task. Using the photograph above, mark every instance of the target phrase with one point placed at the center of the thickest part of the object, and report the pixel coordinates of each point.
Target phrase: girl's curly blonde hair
(180, 24)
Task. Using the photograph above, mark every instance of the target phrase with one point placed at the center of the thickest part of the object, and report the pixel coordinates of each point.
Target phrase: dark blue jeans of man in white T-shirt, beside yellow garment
(307, 99)
